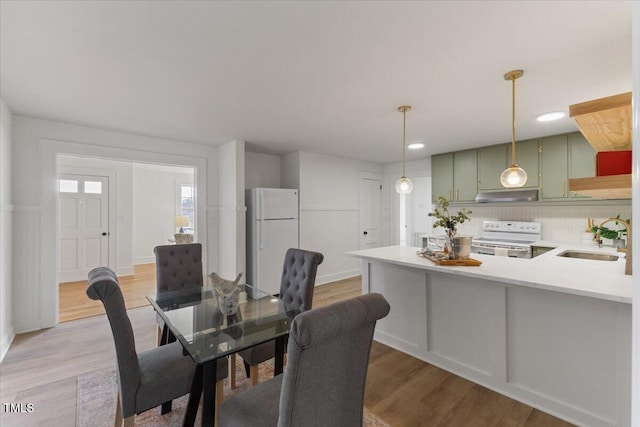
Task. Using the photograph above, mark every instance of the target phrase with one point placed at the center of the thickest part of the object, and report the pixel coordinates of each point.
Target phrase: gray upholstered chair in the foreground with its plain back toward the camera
(324, 380)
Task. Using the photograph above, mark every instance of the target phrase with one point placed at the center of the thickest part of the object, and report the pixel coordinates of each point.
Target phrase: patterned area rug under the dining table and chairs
(97, 400)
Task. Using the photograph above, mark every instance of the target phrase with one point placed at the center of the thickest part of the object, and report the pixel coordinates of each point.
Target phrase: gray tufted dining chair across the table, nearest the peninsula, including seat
(296, 291)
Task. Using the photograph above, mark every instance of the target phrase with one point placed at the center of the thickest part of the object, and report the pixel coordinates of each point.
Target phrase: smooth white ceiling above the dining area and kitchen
(325, 77)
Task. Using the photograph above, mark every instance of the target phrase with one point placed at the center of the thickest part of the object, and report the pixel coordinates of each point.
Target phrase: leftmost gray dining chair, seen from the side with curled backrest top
(150, 378)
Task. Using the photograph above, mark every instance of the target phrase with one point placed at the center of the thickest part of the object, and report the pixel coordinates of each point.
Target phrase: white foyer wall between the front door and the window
(155, 192)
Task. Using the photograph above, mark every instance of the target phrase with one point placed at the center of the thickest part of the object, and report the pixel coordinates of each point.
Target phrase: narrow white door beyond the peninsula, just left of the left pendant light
(369, 205)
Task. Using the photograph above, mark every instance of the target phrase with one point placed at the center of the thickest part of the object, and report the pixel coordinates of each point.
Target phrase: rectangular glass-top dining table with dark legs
(194, 318)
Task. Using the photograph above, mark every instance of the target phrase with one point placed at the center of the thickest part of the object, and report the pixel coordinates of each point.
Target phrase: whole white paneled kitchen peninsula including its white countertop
(552, 332)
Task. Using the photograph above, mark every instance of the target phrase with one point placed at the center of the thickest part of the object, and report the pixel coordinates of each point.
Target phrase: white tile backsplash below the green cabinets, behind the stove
(559, 223)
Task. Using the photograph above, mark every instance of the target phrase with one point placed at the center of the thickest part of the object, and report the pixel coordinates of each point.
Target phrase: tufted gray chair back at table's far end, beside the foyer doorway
(178, 267)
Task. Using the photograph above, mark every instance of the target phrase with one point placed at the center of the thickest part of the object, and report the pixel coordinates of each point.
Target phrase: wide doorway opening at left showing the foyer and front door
(113, 213)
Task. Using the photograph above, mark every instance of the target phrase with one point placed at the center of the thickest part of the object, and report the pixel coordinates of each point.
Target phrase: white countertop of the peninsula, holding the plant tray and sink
(597, 279)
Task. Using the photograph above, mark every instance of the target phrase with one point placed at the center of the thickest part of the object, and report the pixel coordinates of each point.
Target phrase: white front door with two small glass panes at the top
(84, 225)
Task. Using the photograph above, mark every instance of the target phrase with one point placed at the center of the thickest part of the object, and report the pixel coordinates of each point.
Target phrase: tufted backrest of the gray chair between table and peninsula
(299, 278)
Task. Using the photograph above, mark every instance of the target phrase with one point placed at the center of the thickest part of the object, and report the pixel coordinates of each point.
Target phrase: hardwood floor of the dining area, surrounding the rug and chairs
(42, 368)
